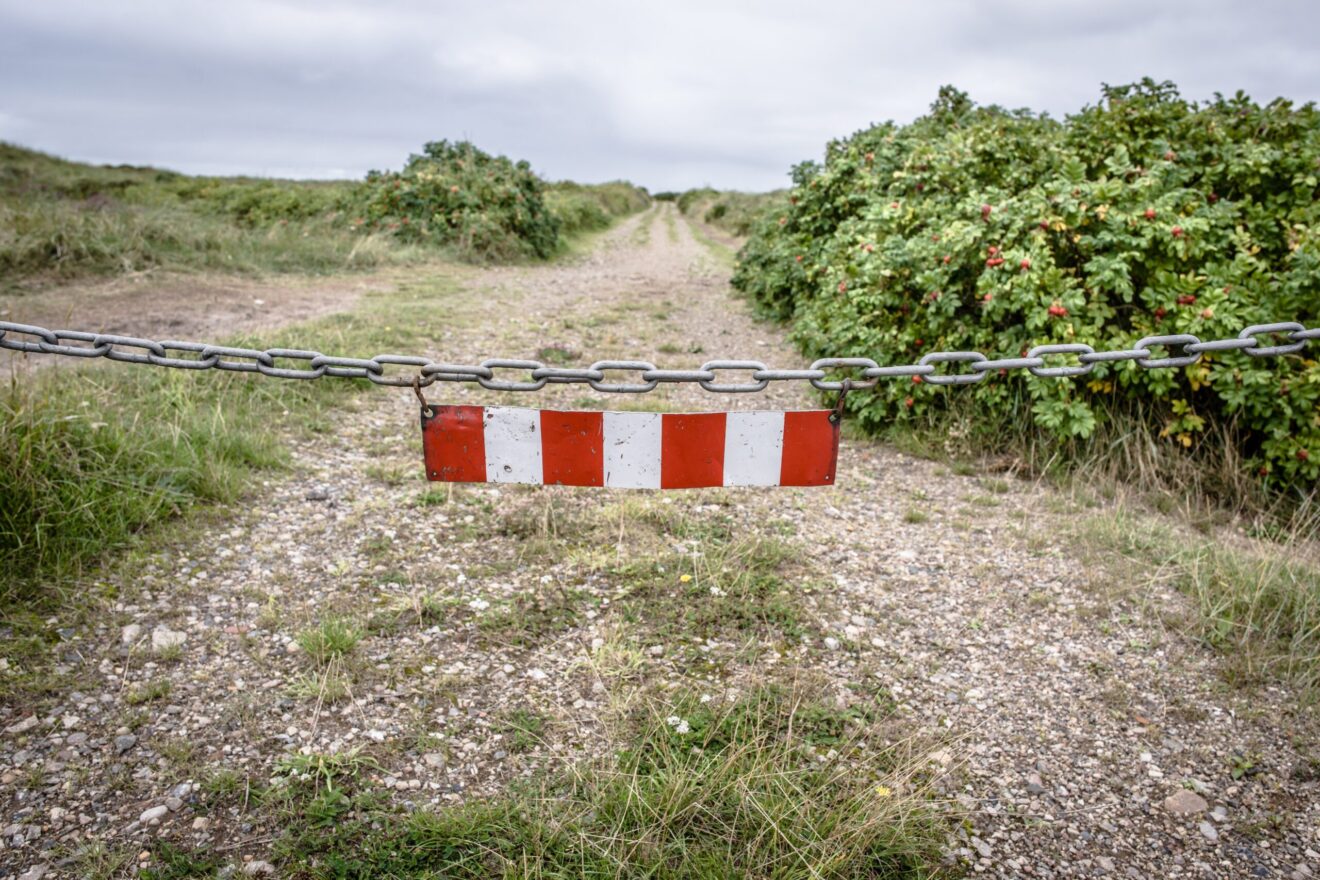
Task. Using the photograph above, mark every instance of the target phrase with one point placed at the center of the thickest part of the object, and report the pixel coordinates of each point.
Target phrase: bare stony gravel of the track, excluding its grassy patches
(1078, 730)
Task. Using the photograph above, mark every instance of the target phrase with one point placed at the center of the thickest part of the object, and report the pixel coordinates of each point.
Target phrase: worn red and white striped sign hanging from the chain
(629, 451)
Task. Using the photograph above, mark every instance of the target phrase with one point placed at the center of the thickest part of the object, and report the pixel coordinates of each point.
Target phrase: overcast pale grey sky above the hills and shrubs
(670, 94)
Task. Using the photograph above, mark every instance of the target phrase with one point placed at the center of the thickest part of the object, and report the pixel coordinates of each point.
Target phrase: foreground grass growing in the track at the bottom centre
(779, 784)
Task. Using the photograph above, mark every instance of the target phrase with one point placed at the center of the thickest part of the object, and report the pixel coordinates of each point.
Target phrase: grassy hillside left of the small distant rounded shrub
(63, 220)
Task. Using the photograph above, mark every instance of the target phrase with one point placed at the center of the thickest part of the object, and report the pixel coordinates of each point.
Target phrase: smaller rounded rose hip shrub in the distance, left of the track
(485, 208)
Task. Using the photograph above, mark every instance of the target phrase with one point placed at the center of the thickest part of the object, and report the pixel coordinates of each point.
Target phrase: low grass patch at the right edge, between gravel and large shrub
(1259, 602)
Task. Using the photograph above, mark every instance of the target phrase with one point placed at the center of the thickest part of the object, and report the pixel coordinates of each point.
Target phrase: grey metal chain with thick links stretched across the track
(865, 371)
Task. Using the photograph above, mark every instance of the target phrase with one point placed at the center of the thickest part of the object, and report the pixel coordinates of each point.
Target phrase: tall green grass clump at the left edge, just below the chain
(89, 461)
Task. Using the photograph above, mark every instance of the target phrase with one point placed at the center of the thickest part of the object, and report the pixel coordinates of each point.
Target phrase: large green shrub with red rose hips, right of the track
(987, 230)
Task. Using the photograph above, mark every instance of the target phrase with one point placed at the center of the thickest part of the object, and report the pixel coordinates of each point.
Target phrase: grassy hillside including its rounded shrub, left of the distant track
(63, 221)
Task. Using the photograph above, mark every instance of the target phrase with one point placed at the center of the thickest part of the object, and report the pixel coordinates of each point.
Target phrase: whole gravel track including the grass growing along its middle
(270, 680)
